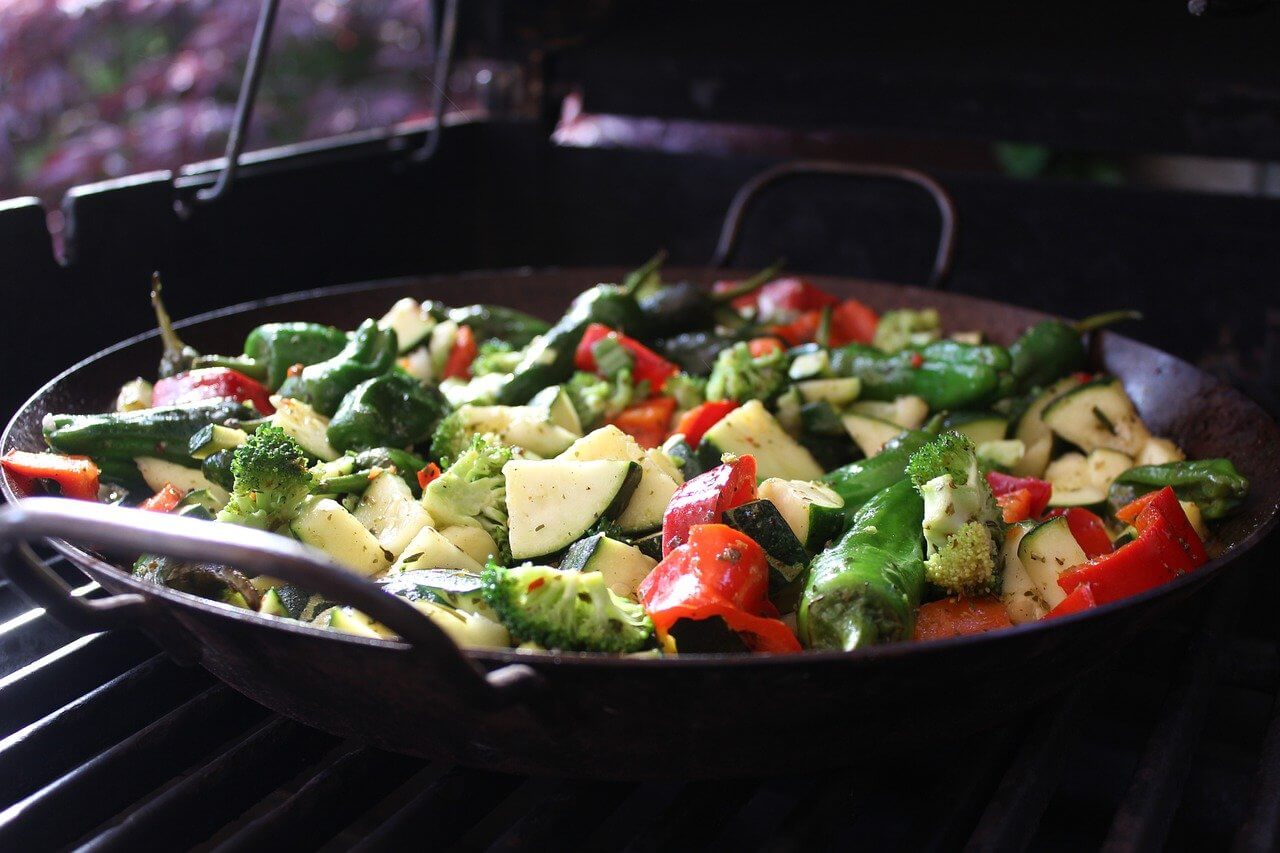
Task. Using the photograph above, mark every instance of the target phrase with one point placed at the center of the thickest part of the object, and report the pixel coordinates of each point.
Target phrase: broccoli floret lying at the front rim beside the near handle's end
(566, 610)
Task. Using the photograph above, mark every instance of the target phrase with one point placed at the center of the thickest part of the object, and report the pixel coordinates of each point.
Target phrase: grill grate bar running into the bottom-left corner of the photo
(76, 804)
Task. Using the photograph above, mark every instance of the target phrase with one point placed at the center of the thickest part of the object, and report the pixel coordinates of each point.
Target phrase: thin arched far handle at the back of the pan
(749, 191)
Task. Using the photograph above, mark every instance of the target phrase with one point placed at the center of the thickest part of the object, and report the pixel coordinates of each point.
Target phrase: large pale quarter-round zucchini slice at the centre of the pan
(554, 504)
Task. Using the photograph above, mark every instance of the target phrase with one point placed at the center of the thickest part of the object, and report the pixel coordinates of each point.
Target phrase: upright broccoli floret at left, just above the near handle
(271, 481)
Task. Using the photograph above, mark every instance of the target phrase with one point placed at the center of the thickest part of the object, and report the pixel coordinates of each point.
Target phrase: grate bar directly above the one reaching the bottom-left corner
(57, 743)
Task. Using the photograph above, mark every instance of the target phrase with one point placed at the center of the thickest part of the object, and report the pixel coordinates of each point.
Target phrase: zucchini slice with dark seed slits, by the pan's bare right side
(1099, 414)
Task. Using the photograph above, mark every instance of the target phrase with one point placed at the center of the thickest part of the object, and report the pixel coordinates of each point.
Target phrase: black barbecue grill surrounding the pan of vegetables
(113, 746)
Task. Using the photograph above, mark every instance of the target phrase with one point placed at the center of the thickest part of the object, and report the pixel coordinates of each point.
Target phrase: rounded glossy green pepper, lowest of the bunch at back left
(392, 410)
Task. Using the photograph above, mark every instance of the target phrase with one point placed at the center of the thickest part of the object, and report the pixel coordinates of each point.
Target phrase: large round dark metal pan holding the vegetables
(587, 715)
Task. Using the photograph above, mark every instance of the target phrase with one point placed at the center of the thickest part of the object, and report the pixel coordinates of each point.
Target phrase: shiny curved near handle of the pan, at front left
(258, 551)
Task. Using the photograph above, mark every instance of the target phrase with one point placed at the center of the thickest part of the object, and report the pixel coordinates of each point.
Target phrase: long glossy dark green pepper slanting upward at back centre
(548, 361)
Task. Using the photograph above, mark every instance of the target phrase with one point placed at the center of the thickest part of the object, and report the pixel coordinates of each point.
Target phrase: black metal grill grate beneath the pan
(111, 746)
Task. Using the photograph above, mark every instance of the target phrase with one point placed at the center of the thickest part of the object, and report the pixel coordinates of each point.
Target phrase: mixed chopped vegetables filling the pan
(761, 467)
